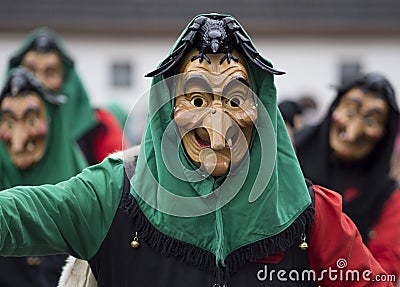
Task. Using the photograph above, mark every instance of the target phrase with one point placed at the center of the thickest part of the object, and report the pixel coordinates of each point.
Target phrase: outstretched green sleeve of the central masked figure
(70, 217)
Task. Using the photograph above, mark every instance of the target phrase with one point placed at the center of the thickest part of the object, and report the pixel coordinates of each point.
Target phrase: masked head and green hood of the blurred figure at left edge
(59, 157)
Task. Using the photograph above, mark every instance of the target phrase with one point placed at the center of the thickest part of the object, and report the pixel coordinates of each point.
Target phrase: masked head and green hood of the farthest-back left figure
(59, 75)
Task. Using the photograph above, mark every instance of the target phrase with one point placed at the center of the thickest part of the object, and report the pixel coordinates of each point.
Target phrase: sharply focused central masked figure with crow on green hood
(214, 196)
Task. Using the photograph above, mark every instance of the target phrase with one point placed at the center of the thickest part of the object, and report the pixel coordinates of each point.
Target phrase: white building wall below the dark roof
(312, 64)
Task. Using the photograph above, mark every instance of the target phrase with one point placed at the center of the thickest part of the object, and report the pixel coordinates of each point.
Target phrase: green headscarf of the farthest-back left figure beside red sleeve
(79, 114)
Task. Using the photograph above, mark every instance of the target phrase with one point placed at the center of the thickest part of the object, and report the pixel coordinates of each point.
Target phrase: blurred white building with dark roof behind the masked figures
(319, 43)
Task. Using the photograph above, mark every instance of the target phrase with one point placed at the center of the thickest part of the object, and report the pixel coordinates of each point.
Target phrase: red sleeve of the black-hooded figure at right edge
(385, 241)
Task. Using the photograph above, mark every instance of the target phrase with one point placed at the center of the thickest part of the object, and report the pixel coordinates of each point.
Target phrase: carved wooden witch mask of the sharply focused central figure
(215, 112)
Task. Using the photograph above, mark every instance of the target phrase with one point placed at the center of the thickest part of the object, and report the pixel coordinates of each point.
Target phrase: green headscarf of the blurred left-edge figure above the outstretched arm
(61, 160)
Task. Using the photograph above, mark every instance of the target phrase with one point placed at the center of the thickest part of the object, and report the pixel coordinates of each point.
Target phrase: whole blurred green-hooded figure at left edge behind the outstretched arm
(35, 148)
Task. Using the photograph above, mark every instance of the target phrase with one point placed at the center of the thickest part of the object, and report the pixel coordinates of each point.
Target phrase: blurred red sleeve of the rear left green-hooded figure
(108, 138)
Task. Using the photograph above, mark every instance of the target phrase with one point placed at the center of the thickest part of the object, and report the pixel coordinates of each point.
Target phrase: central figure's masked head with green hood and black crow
(217, 218)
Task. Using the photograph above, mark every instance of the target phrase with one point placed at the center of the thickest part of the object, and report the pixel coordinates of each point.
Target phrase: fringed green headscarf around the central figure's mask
(271, 194)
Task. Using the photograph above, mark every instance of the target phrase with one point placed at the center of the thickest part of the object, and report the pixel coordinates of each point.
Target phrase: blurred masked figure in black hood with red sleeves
(349, 152)
